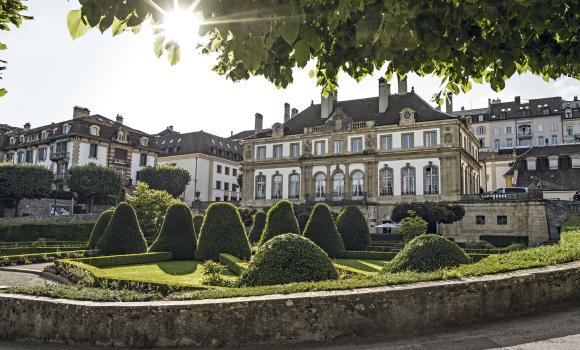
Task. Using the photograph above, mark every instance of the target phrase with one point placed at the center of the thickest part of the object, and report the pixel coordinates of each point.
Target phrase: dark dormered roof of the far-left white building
(80, 126)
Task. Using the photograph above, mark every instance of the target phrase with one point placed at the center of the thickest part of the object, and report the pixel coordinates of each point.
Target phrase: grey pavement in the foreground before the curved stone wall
(557, 330)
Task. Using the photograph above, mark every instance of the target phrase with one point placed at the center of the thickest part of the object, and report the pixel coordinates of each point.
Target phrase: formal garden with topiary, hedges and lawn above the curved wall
(152, 247)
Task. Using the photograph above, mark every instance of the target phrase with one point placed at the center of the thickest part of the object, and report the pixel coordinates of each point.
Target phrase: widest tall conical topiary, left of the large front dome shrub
(222, 232)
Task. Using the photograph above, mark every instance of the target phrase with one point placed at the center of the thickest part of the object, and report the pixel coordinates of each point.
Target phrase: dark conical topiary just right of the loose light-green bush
(177, 235)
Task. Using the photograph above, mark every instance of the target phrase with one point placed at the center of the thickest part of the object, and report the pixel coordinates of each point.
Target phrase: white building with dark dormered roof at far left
(81, 140)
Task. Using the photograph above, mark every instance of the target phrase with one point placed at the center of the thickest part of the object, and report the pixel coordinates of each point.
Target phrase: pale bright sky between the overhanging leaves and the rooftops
(48, 73)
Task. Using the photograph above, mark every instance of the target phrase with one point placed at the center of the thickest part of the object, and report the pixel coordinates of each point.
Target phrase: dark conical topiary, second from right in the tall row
(321, 230)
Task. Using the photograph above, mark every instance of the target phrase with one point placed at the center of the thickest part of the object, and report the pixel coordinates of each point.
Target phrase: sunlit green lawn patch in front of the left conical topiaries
(183, 273)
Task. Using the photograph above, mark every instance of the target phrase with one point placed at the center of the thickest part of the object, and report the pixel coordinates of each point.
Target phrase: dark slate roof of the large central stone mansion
(365, 109)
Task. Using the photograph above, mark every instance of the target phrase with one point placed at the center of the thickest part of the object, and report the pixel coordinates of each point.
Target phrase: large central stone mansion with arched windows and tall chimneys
(374, 152)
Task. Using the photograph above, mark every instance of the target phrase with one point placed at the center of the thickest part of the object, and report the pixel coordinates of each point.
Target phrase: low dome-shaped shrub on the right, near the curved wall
(428, 253)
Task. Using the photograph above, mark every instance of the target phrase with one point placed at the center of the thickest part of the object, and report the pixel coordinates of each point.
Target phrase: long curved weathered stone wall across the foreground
(301, 317)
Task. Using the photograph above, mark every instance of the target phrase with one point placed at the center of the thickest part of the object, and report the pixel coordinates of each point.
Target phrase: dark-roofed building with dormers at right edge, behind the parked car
(553, 170)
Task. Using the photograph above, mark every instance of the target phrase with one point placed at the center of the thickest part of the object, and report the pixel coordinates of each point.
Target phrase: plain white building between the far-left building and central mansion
(212, 161)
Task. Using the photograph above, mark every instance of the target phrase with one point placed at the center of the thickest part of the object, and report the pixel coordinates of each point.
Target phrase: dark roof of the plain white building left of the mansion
(175, 143)
